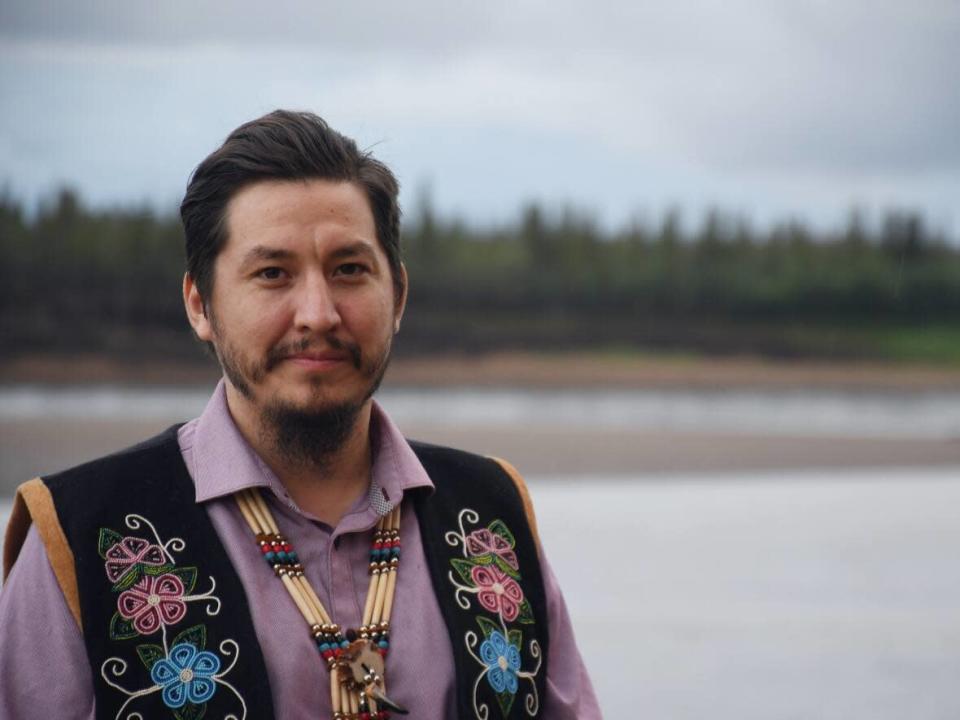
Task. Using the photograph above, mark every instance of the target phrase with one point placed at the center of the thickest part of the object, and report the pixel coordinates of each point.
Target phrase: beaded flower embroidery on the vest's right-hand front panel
(489, 571)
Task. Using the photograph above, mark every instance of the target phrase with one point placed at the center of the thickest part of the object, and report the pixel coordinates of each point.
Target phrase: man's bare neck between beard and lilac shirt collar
(327, 486)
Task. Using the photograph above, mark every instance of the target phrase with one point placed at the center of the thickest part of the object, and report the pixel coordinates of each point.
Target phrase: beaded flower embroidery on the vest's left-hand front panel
(152, 596)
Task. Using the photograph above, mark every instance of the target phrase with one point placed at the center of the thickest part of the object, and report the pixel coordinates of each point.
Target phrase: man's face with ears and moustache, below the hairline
(303, 307)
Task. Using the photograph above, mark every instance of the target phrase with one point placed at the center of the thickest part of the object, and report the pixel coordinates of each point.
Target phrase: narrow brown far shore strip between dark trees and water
(529, 370)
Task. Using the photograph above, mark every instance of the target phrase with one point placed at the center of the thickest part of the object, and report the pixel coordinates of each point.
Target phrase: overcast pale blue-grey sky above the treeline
(771, 109)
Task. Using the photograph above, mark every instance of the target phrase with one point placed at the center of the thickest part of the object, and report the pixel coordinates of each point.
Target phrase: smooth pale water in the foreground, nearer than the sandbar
(817, 596)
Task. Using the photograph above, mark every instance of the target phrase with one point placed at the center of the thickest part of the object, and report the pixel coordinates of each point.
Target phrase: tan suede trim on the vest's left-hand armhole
(34, 503)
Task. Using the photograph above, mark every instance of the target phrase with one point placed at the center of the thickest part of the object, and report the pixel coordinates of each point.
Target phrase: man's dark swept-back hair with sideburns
(283, 145)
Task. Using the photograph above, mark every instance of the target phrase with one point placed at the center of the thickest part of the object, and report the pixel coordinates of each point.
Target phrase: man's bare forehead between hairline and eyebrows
(288, 211)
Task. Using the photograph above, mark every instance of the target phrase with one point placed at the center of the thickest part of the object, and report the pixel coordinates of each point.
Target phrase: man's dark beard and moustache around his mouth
(309, 434)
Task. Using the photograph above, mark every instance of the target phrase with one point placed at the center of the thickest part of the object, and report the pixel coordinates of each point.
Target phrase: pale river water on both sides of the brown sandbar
(788, 592)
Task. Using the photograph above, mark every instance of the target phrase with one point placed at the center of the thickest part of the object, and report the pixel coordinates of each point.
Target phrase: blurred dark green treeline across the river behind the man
(77, 279)
